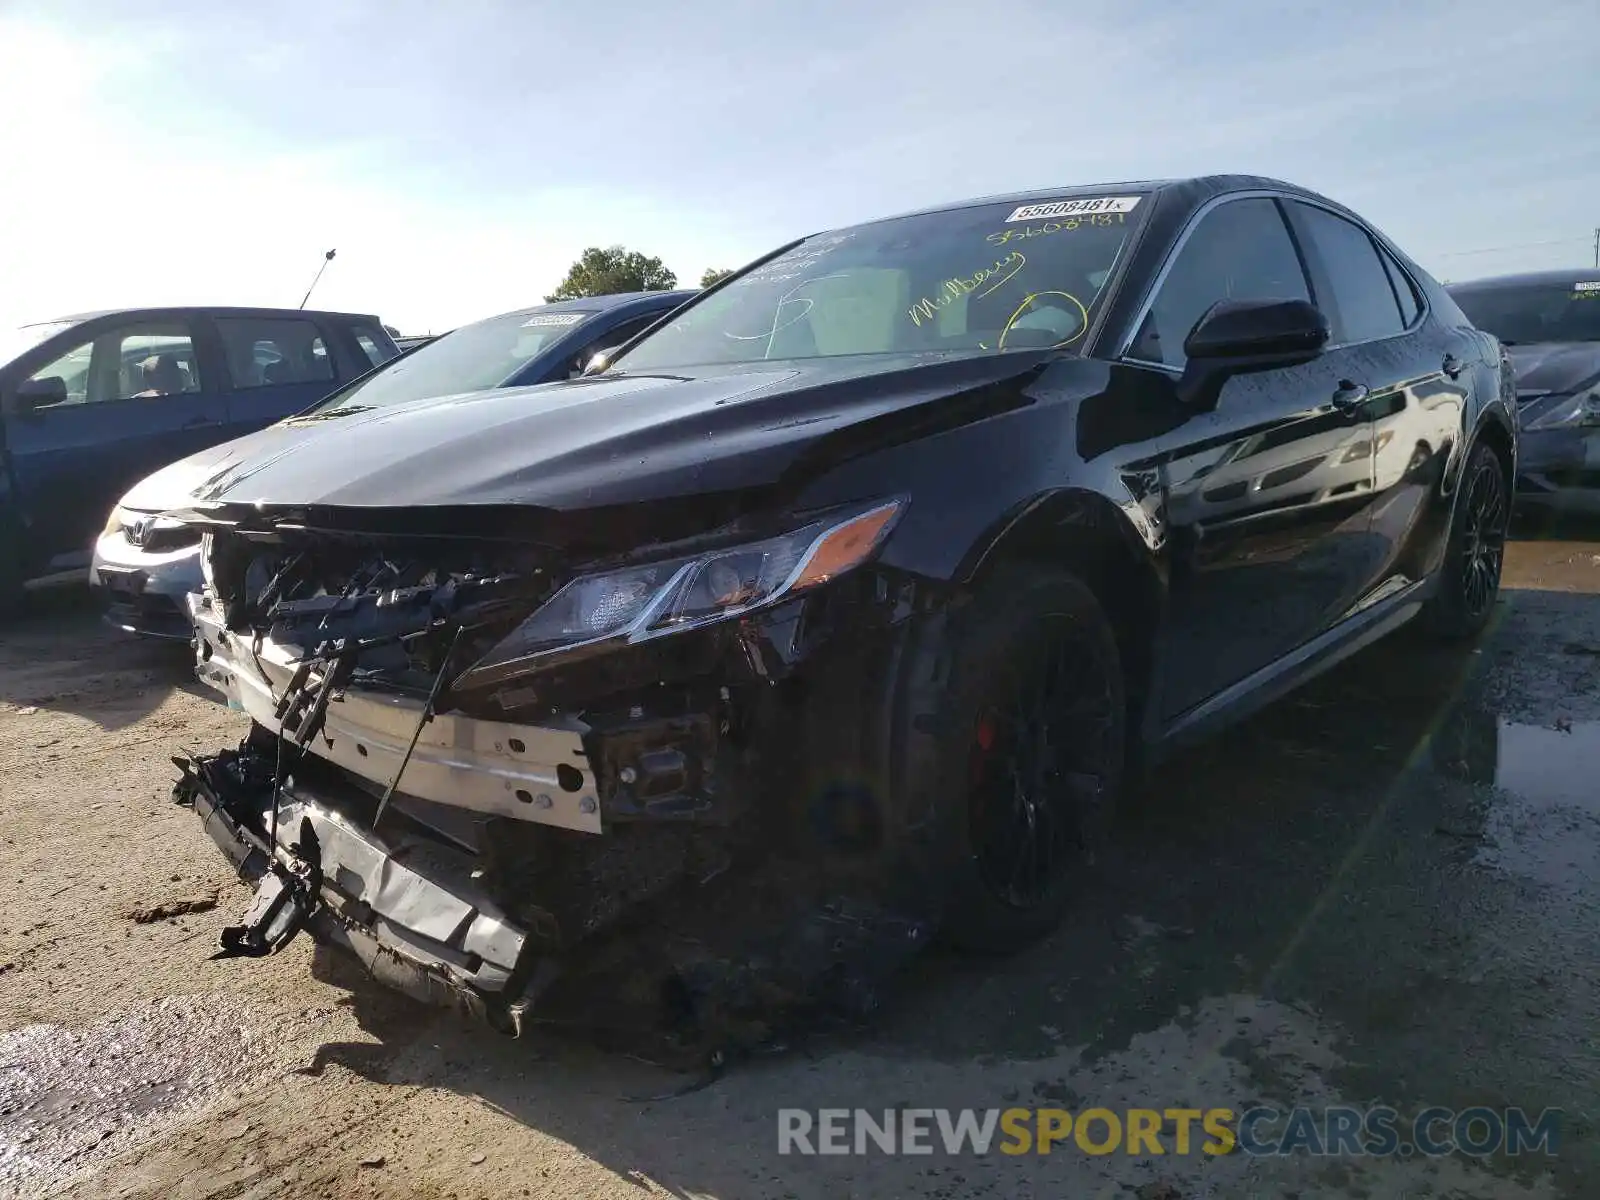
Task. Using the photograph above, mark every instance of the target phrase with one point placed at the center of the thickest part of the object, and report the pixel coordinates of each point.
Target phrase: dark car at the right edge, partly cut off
(1551, 322)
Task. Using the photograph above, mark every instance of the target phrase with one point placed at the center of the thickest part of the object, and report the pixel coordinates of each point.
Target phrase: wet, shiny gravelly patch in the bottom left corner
(76, 1098)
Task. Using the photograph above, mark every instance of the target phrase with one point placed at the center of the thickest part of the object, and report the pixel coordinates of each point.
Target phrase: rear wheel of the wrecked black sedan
(1476, 553)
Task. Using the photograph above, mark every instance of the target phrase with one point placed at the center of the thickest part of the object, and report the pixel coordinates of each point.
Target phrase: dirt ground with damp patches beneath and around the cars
(1383, 890)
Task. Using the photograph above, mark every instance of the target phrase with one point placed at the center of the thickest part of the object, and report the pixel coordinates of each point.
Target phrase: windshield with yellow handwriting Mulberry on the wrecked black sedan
(974, 281)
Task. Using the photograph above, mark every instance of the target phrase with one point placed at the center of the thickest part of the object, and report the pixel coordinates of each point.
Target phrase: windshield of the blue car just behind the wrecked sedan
(484, 354)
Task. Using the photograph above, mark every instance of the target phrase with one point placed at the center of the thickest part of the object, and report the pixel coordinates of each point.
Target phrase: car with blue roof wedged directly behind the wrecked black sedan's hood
(145, 564)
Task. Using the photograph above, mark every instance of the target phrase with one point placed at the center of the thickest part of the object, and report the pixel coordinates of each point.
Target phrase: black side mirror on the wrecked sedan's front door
(1241, 337)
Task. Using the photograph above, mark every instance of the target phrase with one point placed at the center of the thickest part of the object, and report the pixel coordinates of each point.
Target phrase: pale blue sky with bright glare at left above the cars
(462, 156)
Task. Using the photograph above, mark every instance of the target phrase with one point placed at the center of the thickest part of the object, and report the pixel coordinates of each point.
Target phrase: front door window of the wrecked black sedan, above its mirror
(1241, 250)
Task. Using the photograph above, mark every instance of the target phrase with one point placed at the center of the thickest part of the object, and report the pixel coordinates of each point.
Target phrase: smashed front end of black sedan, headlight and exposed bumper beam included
(476, 764)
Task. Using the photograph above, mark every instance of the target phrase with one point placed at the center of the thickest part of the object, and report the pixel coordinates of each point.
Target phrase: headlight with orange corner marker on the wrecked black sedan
(644, 602)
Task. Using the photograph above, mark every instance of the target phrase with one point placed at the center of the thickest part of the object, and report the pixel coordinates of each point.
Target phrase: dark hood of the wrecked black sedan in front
(622, 441)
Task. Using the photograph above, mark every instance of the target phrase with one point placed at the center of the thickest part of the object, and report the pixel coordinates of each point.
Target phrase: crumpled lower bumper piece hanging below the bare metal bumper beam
(406, 906)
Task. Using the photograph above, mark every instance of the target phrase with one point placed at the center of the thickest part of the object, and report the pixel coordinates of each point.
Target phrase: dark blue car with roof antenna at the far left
(92, 404)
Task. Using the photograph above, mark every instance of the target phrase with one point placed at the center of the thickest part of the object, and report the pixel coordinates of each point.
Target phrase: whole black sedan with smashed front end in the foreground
(874, 567)
